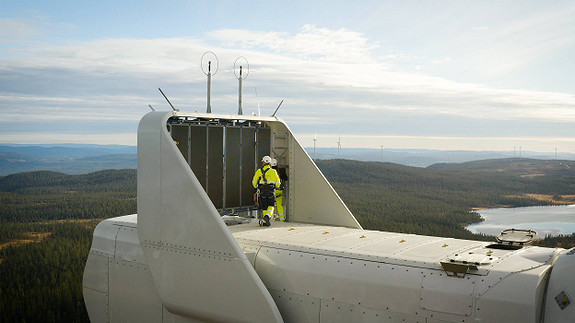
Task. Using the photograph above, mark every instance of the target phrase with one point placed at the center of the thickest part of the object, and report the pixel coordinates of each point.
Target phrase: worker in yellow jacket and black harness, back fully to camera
(266, 181)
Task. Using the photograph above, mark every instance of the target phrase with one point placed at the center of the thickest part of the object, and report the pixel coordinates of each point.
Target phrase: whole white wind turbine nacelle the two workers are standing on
(181, 259)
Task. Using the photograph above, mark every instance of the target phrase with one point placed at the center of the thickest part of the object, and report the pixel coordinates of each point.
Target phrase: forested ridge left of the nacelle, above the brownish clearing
(46, 195)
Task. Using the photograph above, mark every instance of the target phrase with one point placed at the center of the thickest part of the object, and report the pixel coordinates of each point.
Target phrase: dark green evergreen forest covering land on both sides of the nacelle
(47, 218)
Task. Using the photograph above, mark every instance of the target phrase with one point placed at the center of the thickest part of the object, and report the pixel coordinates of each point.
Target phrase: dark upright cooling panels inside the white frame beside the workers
(223, 154)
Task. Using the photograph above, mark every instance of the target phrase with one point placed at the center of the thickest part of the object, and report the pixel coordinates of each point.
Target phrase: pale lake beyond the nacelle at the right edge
(552, 220)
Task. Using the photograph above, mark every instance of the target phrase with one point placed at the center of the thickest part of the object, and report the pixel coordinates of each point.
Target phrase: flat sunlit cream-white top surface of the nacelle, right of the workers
(394, 248)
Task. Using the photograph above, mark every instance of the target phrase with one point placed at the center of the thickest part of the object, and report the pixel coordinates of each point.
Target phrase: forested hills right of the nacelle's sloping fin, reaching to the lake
(433, 201)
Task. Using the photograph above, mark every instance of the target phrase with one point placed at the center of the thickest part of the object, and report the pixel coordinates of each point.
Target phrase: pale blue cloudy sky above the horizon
(448, 75)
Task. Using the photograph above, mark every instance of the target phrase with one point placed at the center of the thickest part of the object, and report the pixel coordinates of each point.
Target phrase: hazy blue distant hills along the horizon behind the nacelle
(82, 158)
